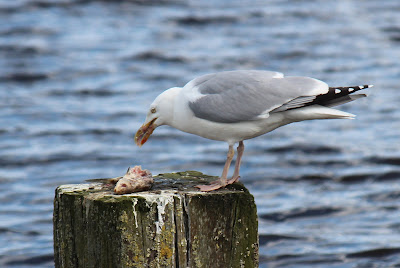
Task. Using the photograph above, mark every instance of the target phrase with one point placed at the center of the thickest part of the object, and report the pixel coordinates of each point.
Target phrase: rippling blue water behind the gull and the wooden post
(77, 77)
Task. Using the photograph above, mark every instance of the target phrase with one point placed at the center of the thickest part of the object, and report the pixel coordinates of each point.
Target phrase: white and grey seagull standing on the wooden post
(234, 106)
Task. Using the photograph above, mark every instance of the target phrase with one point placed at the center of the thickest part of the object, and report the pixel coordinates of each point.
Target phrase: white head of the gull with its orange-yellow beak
(160, 113)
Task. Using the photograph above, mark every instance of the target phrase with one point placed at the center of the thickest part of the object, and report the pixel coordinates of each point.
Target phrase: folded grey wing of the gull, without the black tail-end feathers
(238, 96)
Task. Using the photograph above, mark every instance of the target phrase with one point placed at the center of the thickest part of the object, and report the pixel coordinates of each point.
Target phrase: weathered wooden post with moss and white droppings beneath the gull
(173, 225)
